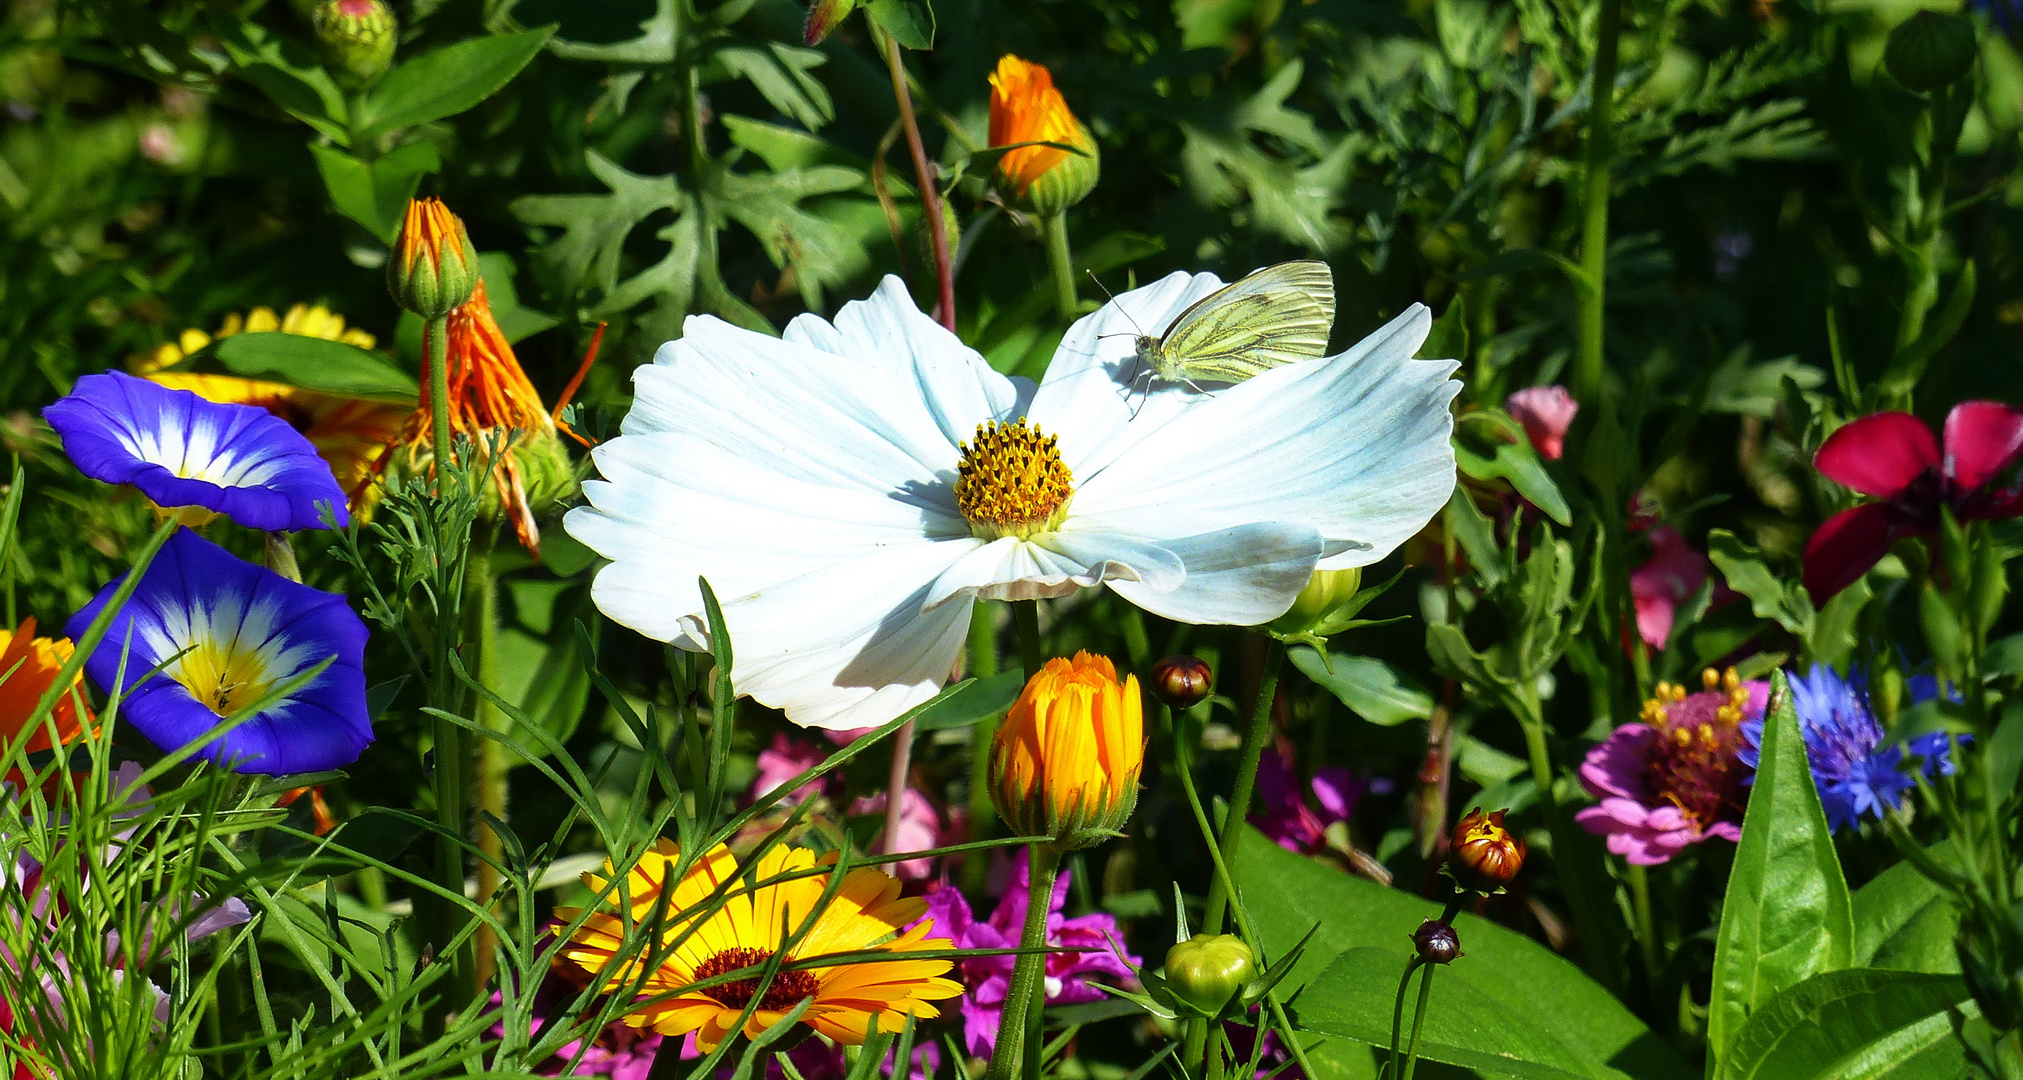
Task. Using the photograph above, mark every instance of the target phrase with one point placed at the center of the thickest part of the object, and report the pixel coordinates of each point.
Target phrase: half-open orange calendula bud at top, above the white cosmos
(1027, 110)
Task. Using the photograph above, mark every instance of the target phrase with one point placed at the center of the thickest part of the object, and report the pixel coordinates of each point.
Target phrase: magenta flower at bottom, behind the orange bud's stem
(988, 978)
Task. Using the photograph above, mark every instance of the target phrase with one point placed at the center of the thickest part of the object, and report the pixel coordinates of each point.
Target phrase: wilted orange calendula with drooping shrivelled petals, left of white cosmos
(491, 399)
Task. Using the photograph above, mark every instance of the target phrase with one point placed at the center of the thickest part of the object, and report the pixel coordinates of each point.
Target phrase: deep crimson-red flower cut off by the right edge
(1895, 458)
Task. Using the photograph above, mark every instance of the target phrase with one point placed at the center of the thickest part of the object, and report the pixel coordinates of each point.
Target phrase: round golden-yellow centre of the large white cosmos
(1013, 482)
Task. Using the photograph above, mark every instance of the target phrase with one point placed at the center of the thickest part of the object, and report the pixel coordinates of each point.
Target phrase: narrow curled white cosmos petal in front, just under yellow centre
(1055, 565)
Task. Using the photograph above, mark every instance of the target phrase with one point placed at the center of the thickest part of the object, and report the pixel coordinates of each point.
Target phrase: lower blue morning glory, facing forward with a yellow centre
(226, 634)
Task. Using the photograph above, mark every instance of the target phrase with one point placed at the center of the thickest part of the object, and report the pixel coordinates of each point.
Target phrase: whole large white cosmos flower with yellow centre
(826, 484)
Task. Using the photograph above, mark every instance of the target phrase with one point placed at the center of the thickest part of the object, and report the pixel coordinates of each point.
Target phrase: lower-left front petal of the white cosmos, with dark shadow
(847, 646)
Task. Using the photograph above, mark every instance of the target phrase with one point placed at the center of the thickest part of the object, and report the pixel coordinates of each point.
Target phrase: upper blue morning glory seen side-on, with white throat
(185, 452)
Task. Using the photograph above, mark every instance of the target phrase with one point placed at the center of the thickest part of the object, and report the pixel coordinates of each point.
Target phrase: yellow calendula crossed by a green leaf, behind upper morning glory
(349, 434)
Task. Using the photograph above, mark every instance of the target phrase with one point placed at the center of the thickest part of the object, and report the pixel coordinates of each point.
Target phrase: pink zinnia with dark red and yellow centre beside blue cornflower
(1674, 778)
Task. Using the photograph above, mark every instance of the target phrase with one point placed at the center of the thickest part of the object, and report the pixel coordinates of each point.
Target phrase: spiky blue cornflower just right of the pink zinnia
(1842, 737)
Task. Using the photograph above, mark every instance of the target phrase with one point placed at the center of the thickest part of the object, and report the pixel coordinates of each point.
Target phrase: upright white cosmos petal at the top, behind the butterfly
(1095, 395)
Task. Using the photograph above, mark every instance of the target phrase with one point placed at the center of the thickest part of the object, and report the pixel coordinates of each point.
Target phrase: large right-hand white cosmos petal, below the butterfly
(1354, 446)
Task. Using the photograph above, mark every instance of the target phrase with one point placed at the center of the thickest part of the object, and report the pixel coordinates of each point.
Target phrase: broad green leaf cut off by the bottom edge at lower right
(1846, 1024)
